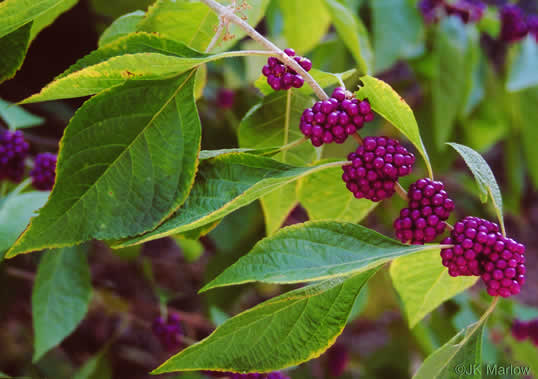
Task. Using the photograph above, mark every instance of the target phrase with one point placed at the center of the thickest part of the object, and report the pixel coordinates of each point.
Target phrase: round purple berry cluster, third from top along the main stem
(375, 168)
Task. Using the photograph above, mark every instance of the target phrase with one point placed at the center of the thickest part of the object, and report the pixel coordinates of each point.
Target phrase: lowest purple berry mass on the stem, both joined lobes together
(479, 249)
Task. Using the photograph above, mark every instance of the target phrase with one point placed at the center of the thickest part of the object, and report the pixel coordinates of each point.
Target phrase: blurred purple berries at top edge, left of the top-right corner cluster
(466, 10)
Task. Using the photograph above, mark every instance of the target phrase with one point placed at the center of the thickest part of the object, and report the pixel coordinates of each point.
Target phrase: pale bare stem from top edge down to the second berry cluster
(227, 15)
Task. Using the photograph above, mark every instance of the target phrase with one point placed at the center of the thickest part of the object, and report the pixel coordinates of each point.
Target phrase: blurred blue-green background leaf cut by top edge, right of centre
(398, 32)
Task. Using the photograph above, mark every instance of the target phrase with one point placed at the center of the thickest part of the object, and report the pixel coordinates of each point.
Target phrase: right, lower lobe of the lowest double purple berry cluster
(503, 266)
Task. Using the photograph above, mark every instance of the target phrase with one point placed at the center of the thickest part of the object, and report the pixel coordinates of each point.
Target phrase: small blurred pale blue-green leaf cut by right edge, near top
(523, 73)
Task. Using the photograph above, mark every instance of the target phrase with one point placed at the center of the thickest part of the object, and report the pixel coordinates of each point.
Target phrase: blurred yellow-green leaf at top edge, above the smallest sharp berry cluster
(305, 23)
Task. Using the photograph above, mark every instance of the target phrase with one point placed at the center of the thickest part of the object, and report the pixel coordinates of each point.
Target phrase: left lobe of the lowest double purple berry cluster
(471, 237)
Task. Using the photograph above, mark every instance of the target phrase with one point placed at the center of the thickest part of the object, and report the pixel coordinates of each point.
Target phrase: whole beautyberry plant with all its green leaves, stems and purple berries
(322, 142)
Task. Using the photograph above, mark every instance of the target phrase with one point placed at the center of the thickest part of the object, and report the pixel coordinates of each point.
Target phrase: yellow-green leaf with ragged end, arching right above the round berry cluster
(391, 106)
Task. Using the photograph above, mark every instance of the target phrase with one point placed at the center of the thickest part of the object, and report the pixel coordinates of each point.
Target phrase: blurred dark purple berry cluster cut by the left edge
(13, 151)
